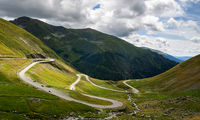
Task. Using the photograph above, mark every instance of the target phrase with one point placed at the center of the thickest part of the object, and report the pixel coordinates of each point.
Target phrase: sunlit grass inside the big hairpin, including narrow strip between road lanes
(60, 78)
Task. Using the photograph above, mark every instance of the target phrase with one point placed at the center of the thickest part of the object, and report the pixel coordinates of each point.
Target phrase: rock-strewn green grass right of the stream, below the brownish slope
(162, 105)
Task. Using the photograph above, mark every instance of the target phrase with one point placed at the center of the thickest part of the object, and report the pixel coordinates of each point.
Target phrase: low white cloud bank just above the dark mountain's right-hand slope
(173, 47)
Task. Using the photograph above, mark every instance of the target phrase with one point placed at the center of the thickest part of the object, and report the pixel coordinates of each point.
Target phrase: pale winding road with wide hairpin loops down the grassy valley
(58, 93)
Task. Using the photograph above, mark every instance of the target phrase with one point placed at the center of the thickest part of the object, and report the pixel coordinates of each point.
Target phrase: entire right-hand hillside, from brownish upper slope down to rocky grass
(174, 94)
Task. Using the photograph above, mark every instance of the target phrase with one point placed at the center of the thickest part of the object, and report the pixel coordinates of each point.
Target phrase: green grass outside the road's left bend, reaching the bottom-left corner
(16, 103)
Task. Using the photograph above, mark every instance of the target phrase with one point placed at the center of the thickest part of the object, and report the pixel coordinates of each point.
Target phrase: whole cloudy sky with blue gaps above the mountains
(172, 26)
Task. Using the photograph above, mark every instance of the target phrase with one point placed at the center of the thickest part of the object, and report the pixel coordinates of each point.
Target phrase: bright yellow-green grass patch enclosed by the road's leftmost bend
(51, 76)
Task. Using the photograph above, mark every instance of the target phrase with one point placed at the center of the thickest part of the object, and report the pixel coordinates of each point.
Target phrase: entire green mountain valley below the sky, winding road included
(38, 81)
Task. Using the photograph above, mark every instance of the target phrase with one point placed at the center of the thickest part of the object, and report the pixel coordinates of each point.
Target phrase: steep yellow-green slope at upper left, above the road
(16, 42)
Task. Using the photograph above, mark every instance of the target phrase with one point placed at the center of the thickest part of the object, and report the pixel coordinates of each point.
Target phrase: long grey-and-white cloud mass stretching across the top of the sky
(118, 18)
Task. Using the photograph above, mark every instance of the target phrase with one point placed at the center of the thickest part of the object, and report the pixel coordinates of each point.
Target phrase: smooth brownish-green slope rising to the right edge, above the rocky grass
(183, 77)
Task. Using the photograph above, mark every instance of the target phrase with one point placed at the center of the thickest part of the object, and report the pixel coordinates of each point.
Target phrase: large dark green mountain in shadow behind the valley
(97, 54)
